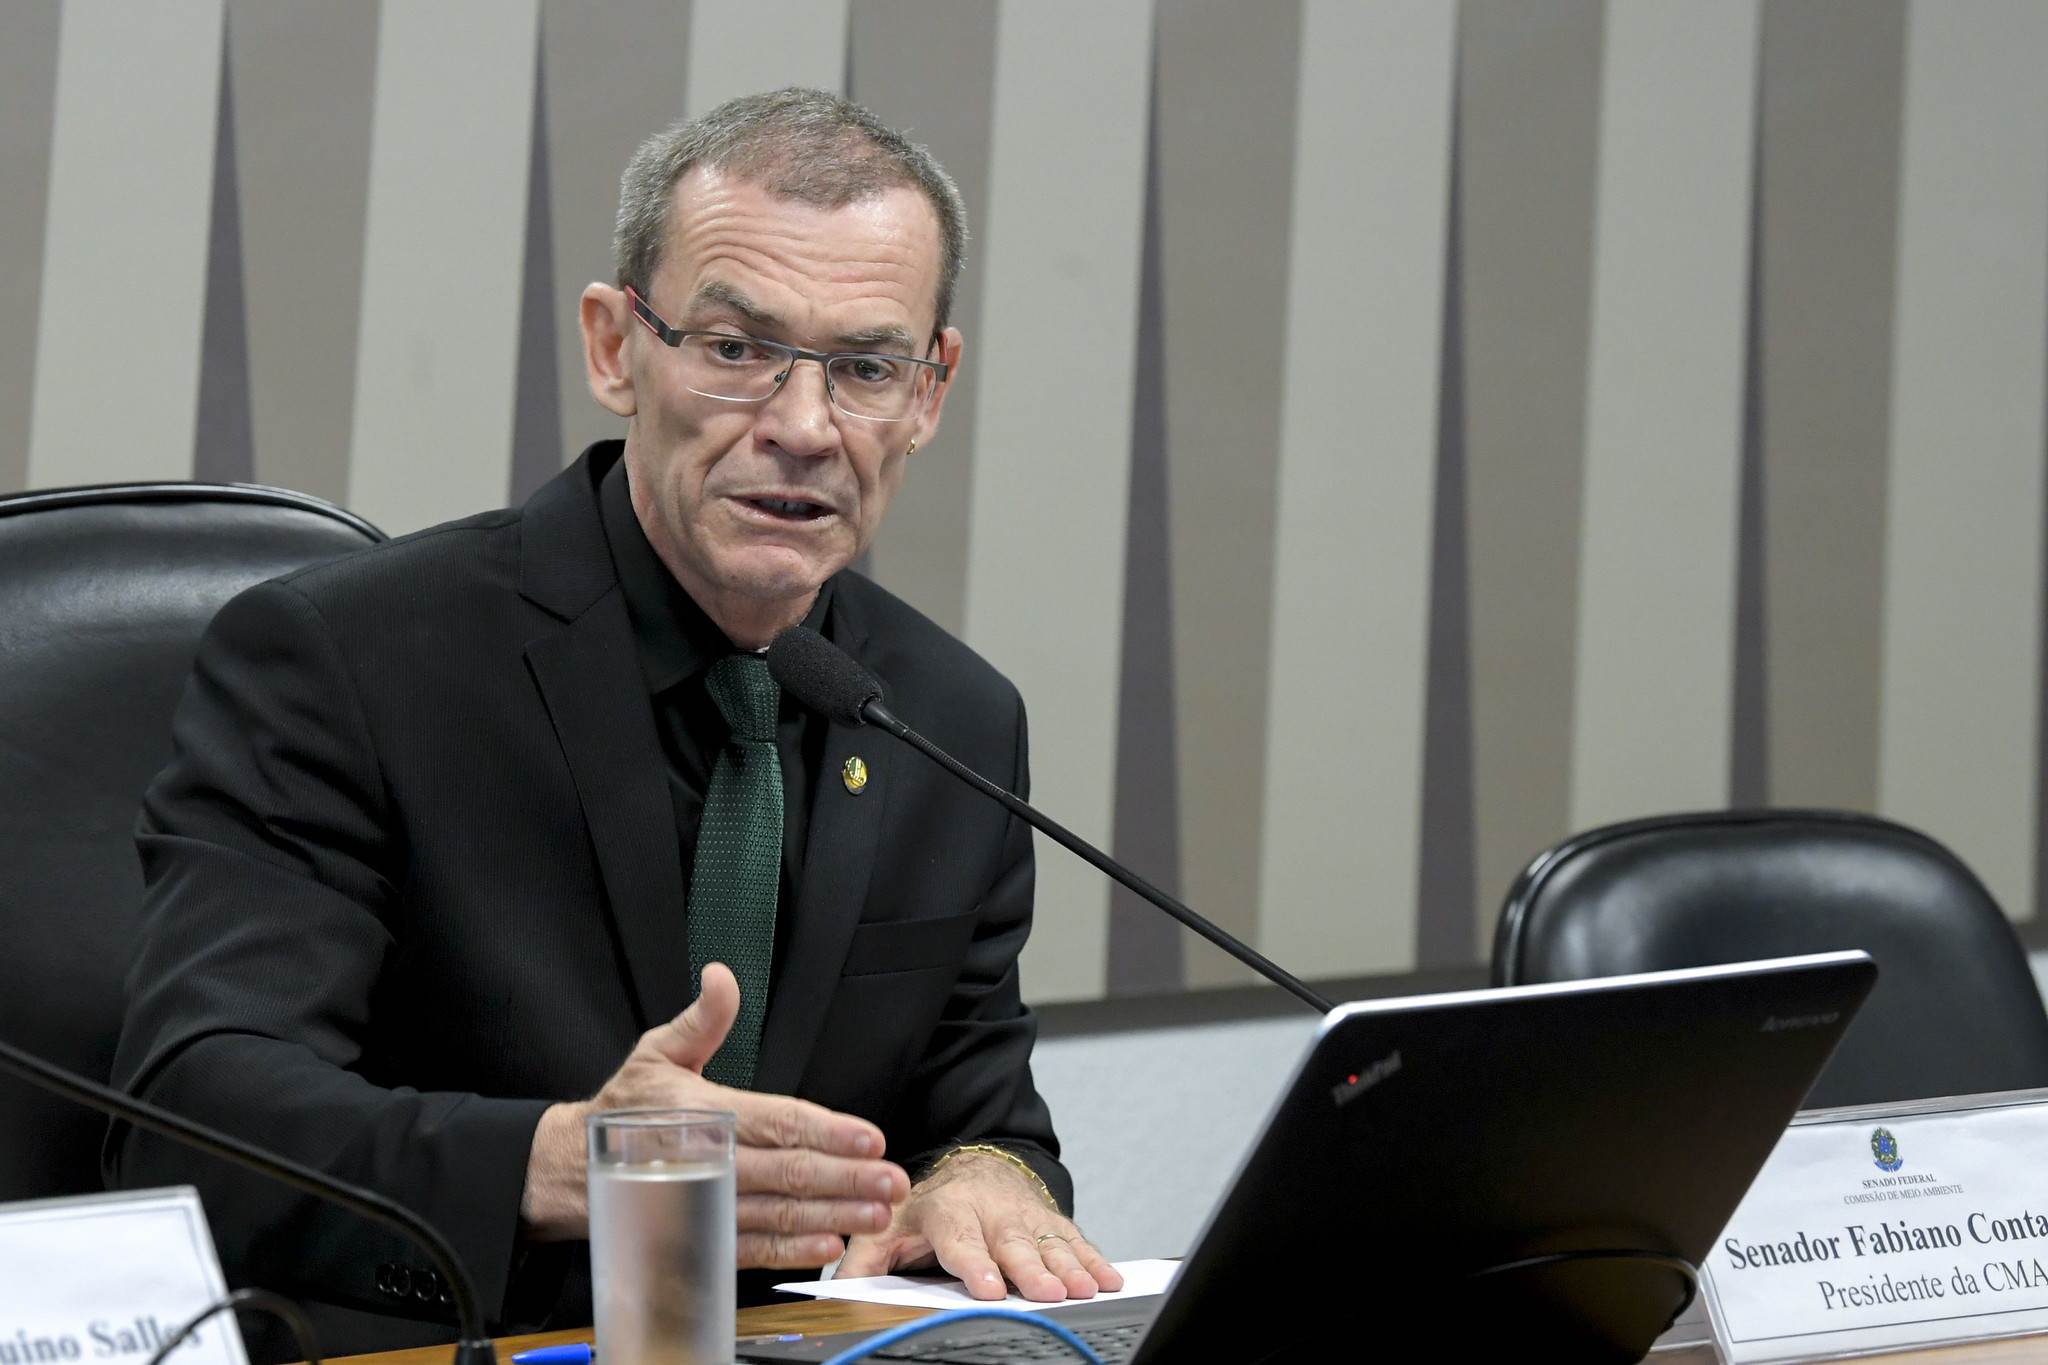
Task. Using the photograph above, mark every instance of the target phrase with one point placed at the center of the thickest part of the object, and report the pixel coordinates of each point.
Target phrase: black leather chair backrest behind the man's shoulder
(103, 597)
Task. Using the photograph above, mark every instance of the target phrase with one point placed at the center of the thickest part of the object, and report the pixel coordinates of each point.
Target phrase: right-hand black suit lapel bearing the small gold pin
(837, 869)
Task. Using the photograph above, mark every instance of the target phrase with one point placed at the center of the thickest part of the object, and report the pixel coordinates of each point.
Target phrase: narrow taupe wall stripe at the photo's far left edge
(28, 103)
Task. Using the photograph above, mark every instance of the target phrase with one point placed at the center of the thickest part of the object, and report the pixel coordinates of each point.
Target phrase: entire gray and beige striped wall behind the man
(1766, 277)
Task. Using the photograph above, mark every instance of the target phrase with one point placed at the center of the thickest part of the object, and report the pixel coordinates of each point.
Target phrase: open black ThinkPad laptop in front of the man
(1531, 1168)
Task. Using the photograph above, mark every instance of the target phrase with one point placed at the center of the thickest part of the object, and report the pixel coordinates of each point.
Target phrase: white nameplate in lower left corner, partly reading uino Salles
(110, 1278)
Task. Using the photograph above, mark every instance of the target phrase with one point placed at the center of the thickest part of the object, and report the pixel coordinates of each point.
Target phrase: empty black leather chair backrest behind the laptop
(1955, 1010)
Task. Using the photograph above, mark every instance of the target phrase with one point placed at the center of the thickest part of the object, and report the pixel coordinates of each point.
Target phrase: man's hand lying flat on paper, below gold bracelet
(982, 1221)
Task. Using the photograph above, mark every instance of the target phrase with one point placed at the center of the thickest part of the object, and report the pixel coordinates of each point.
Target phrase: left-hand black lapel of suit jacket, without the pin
(597, 701)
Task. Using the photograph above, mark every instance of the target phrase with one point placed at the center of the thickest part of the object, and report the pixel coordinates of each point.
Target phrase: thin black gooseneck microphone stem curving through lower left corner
(472, 1350)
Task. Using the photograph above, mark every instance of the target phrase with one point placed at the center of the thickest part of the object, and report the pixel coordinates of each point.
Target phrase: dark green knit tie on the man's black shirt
(738, 865)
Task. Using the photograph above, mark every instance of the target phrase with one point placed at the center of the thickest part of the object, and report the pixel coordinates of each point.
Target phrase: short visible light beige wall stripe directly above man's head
(742, 46)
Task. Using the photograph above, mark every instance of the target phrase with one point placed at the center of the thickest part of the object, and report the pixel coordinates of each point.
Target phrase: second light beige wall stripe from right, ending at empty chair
(1664, 419)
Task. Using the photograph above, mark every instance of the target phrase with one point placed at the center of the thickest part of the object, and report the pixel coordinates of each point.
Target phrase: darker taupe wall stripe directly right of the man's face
(927, 71)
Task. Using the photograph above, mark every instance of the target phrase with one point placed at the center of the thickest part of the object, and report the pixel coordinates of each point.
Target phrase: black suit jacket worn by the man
(413, 877)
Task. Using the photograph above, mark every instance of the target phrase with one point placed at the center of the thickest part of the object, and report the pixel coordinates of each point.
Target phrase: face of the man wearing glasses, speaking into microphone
(757, 504)
